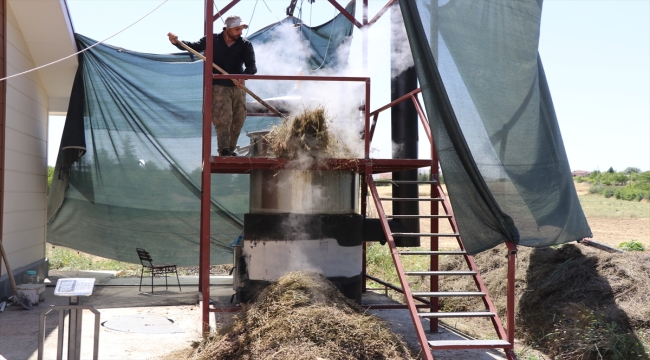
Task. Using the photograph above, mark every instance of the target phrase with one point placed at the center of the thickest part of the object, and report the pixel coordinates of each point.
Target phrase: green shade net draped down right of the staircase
(493, 121)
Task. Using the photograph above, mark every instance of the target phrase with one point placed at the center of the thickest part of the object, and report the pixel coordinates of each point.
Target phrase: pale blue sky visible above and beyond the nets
(596, 54)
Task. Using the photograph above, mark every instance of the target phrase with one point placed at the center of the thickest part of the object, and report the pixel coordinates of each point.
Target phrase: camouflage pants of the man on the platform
(228, 115)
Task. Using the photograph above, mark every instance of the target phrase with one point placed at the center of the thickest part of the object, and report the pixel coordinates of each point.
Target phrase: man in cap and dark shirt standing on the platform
(235, 55)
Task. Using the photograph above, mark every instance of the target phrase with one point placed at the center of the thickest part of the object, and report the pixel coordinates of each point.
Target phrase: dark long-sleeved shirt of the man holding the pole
(231, 58)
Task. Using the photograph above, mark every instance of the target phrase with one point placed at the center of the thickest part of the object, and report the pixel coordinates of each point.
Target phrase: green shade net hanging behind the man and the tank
(128, 172)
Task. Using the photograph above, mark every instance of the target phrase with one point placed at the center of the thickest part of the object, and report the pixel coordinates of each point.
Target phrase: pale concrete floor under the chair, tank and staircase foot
(119, 298)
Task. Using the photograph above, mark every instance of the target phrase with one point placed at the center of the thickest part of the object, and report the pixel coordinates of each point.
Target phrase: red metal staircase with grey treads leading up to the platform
(505, 338)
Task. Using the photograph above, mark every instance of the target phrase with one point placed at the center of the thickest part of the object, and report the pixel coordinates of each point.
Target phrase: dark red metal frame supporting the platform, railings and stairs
(365, 166)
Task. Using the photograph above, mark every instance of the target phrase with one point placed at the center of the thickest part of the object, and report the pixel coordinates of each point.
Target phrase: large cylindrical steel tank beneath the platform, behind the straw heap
(301, 220)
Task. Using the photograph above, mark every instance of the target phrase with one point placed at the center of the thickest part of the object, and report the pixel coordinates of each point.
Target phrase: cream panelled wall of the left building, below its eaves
(25, 154)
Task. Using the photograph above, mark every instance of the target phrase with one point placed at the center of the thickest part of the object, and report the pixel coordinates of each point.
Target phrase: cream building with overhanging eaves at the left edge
(35, 33)
